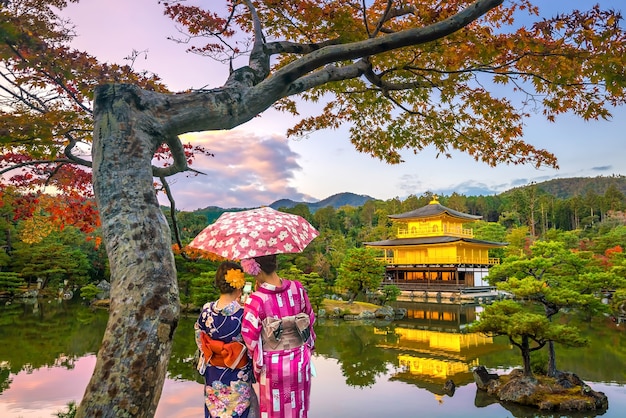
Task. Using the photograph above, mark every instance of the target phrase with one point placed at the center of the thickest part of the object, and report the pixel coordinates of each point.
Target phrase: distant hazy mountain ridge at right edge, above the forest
(578, 186)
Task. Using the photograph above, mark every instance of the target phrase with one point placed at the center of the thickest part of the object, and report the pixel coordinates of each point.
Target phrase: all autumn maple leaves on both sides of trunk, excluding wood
(470, 91)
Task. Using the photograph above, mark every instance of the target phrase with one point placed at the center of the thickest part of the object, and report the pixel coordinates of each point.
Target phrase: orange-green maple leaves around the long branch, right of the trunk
(470, 91)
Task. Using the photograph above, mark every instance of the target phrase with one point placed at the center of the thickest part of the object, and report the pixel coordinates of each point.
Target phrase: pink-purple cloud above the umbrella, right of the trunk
(248, 170)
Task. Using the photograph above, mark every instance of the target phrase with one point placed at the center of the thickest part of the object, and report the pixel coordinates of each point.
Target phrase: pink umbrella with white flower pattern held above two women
(254, 233)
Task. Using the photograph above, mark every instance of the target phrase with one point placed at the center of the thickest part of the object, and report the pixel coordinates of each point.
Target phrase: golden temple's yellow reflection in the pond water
(433, 345)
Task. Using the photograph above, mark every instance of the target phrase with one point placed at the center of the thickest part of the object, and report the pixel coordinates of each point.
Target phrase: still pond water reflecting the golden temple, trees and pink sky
(374, 369)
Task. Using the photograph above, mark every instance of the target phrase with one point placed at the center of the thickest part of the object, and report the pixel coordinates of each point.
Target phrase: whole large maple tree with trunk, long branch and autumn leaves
(454, 75)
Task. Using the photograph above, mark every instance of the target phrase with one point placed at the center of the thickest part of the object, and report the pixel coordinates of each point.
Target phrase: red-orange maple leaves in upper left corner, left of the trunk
(46, 120)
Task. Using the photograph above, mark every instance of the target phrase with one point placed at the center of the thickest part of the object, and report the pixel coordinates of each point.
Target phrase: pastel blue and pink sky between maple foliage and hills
(255, 164)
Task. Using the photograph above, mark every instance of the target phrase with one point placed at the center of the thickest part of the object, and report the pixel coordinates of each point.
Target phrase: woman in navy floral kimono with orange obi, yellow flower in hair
(224, 360)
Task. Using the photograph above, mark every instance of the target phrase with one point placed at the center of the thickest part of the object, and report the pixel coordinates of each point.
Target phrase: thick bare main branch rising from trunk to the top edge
(245, 86)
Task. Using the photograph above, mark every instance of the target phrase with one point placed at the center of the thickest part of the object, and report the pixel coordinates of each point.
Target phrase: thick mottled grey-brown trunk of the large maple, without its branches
(136, 347)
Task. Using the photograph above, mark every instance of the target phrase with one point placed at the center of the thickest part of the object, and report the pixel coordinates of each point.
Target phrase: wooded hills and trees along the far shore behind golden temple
(38, 228)
